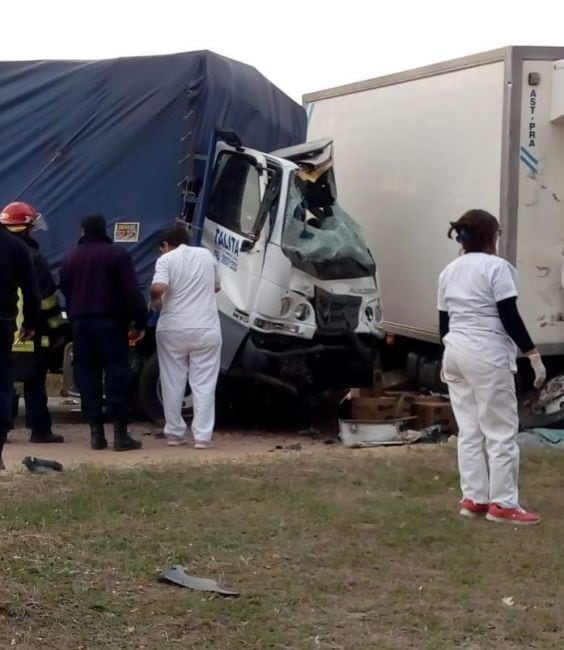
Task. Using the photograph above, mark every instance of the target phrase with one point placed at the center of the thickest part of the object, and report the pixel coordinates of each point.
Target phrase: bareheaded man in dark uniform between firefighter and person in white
(104, 303)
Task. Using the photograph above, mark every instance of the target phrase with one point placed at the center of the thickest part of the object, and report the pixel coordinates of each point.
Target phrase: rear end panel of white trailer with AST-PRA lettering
(540, 225)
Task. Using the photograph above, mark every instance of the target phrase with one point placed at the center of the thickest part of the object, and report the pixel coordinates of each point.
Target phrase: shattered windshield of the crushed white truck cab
(319, 237)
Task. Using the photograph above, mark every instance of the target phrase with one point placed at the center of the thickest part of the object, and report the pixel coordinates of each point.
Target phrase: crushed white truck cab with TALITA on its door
(299, 302)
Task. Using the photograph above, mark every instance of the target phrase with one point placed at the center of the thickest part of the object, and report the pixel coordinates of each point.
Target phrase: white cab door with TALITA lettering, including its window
(234, 230)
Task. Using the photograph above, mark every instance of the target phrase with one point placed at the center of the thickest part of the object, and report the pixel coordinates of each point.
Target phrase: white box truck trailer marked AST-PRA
(417, 149)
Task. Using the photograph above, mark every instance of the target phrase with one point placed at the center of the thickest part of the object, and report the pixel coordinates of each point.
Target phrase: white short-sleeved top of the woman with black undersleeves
(469, 289)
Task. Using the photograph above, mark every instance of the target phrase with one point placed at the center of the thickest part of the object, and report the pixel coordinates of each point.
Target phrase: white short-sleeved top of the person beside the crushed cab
(191, 276)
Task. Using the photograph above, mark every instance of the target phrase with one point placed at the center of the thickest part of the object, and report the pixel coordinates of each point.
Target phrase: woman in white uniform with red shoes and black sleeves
(482, 331)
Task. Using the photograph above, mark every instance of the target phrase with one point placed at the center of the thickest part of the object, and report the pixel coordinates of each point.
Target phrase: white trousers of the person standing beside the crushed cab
(193, 354)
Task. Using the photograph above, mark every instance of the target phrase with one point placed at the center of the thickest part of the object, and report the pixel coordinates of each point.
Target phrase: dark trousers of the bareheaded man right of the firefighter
(101, 361)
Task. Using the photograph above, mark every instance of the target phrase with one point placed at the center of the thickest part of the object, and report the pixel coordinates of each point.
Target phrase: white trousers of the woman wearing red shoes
(485, 406)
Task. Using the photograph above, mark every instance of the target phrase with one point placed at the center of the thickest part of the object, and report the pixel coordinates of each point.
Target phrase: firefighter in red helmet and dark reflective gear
(31, 358)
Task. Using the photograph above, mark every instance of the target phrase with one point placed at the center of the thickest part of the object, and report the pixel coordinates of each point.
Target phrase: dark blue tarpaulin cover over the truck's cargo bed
(116, 137)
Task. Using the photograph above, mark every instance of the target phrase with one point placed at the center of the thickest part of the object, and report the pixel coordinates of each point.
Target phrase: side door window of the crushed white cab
(235, 197)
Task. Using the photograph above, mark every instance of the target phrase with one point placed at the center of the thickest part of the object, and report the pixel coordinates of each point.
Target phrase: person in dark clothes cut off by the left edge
(16, 275)
